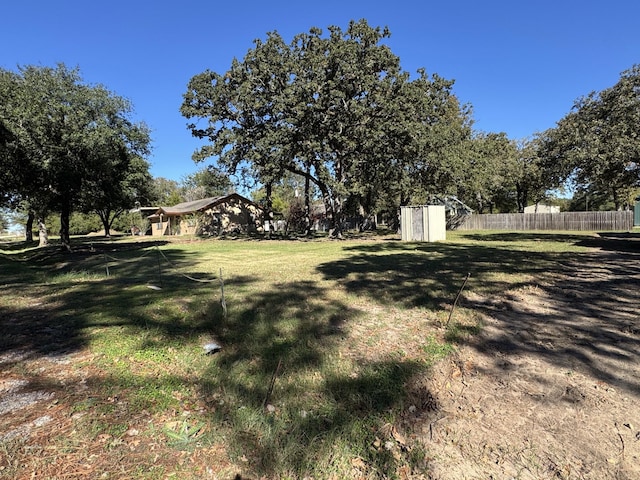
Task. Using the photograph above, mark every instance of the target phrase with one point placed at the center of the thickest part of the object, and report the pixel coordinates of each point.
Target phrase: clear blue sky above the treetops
(520, 64)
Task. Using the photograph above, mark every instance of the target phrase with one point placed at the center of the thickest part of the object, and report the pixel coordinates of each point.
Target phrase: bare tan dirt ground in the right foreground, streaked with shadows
(550, 388)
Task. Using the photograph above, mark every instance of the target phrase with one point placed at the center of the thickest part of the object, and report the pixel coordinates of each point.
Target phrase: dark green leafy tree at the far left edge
(68, 145)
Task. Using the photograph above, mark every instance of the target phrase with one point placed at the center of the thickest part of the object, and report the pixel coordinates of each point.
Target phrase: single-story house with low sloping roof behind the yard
(208, 216)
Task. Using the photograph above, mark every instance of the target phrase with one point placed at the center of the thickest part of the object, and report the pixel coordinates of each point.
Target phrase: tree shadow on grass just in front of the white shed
(429, 275)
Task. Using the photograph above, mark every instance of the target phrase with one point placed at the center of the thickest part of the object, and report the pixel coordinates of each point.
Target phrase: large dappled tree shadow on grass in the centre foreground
(290, 402)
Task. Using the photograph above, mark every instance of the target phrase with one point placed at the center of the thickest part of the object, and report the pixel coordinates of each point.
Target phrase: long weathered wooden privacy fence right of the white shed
(586, 221)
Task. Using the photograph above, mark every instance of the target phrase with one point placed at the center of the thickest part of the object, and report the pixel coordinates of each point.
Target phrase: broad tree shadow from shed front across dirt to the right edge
(588, 318)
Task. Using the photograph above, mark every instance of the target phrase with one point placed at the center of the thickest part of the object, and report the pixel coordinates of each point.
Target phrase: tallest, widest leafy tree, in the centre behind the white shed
(337, 110)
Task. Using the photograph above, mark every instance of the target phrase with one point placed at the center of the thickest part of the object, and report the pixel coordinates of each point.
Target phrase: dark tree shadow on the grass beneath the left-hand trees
(53, 298)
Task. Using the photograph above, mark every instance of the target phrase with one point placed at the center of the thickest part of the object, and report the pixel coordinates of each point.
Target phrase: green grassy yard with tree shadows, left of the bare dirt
(324, 345)
